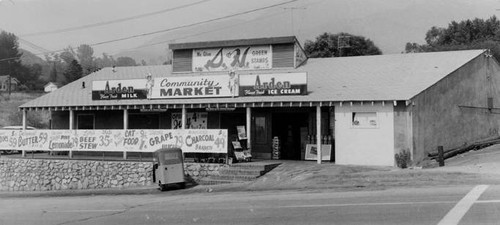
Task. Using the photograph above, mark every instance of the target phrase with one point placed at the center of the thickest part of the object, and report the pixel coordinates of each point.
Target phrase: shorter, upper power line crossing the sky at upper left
(111, 21)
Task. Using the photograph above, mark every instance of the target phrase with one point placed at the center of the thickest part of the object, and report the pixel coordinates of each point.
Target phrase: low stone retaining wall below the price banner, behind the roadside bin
(46, 175)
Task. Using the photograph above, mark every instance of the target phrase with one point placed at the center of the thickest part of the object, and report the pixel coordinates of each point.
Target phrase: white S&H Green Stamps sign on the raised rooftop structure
(237, 58)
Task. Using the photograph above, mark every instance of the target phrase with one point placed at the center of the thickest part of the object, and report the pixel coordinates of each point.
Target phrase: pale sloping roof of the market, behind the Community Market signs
(362, 78)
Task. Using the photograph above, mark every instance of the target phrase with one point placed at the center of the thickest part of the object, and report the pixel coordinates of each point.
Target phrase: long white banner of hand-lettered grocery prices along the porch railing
(195, 140)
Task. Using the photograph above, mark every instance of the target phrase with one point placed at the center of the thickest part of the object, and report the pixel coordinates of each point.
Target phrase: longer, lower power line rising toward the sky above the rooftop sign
(169, 29)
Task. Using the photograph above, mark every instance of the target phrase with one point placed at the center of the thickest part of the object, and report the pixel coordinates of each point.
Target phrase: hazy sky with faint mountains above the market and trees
(51, 25)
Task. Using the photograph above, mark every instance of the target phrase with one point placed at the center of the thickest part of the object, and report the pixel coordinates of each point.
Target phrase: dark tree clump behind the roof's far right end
(463, 35)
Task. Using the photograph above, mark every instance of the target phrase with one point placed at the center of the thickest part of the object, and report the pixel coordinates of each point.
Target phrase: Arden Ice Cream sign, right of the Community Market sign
(273, 84)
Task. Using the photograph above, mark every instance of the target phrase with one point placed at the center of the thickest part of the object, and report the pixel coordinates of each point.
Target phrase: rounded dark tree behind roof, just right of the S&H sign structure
(327, 45)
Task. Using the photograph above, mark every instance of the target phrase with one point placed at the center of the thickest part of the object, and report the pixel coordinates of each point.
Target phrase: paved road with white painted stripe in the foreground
(443, 205)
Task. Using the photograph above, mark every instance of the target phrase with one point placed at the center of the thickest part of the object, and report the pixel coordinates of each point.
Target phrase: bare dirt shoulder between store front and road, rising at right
(472, 168)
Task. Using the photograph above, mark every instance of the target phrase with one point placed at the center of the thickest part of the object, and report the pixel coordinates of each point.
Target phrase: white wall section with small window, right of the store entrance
(364, 146)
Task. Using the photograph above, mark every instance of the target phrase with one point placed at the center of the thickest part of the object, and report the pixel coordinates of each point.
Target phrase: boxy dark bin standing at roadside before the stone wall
(168, 167)
